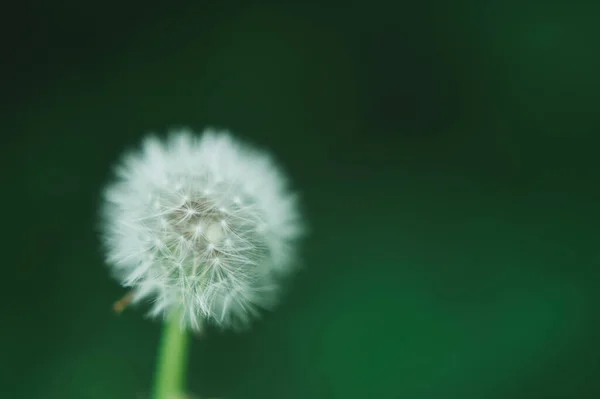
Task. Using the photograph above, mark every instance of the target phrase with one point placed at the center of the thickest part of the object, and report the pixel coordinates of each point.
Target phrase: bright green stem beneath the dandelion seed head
(172, 361)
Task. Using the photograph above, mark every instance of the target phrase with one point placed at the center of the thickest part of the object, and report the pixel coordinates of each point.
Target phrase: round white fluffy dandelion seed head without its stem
(204, 225)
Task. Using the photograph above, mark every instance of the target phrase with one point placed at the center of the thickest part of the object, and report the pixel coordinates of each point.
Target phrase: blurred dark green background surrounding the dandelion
(447, 157)
